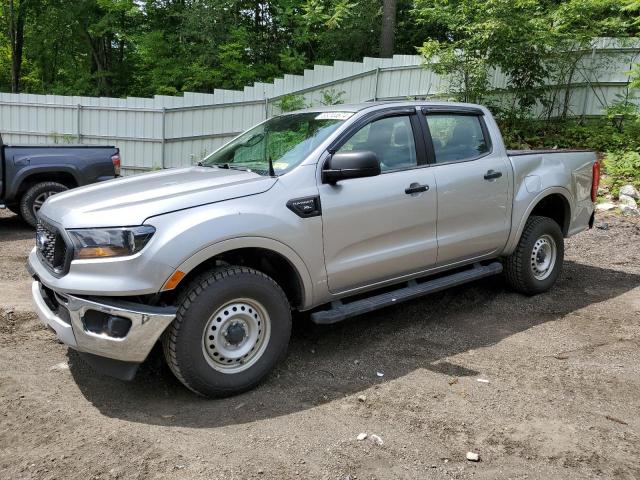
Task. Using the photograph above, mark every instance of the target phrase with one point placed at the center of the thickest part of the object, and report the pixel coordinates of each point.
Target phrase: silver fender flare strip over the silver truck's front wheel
(265, 243)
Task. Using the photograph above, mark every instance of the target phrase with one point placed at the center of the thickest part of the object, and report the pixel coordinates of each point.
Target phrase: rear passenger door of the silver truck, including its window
(473, 185)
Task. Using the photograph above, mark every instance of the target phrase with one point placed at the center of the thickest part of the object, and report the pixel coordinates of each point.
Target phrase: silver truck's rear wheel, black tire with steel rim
(536, 263)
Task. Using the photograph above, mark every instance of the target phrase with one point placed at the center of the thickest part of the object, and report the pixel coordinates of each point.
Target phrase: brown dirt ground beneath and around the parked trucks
(559, 396)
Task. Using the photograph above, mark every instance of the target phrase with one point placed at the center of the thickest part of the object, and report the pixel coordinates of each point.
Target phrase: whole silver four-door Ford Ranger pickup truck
(334, 210)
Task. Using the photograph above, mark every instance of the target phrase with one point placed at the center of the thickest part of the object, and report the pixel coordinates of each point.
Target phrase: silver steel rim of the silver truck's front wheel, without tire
(236, 335)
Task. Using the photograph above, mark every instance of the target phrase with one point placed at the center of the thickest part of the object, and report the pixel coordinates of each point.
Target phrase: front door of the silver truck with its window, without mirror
(383, 227)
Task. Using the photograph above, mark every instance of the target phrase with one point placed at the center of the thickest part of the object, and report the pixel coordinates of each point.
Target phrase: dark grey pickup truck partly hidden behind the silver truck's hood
(30, 174)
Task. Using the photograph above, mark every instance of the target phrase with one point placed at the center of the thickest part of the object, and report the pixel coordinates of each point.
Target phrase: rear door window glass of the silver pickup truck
(456, 137)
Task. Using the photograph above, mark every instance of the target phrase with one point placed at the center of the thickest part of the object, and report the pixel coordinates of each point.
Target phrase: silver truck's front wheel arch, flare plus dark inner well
(268, 256)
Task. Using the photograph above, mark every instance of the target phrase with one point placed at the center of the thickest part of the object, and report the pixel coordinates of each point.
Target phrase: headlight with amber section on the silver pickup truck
(110, 242)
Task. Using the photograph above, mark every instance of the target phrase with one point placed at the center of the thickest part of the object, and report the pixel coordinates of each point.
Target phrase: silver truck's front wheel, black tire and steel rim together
(232, 327)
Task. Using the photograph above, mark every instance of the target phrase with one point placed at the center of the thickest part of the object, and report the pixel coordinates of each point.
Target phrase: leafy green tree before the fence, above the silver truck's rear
(528, 40)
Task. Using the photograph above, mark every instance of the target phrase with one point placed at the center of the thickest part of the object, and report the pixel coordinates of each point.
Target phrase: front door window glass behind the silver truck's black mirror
(390, 138)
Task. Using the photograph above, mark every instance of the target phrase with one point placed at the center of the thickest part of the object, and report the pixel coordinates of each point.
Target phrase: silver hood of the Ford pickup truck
(130, 201)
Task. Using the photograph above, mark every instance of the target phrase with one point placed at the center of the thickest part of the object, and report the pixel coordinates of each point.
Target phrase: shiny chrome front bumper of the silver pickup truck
(65, 315)
